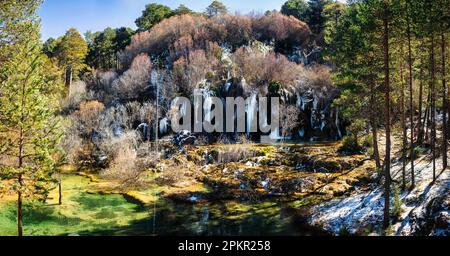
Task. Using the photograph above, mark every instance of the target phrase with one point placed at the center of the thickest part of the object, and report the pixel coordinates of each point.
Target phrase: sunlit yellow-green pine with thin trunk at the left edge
(29, 129)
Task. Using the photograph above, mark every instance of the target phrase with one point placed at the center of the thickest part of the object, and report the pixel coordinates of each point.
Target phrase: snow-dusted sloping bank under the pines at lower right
(424, 210)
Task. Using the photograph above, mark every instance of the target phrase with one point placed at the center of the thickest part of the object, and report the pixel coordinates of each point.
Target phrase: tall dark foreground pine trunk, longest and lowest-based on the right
(387, 162)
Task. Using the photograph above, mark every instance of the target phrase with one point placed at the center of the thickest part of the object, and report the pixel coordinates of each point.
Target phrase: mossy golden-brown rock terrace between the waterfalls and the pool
(258, 172)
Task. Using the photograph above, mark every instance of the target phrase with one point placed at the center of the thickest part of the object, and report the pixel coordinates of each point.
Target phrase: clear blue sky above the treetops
(95, 15)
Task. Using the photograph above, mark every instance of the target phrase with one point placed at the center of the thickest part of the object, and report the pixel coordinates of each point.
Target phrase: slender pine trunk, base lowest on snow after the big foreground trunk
(411, 105)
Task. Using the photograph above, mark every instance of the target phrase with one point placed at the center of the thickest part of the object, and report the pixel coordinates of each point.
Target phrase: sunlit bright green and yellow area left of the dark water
(81, 212)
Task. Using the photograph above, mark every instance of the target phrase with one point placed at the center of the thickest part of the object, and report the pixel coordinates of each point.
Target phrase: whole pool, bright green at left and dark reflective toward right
(83, 213)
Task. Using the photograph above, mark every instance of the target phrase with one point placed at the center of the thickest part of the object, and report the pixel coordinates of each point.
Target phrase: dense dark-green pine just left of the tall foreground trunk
(357, 57)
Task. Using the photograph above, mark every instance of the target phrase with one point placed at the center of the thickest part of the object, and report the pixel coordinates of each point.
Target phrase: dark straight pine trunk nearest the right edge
(444, 105)
